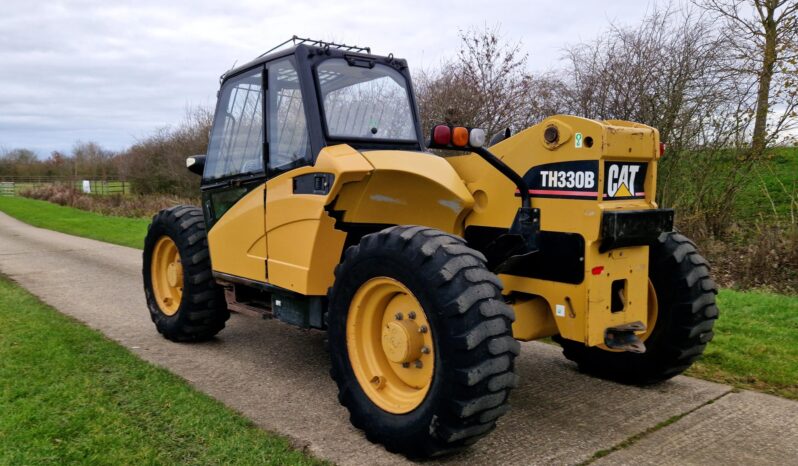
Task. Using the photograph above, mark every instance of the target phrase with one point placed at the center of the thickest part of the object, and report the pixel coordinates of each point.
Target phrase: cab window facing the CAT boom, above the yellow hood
(363, 102)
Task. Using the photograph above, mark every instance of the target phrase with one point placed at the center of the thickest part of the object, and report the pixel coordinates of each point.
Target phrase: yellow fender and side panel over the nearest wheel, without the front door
(377, 187)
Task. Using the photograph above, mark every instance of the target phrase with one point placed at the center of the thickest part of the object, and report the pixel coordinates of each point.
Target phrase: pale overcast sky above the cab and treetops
(112, 72)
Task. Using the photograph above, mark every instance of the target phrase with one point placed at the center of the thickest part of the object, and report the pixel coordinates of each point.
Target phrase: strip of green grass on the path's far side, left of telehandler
(117, 230)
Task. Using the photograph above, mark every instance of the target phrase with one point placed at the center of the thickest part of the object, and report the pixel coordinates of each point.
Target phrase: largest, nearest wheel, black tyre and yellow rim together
(421, 342)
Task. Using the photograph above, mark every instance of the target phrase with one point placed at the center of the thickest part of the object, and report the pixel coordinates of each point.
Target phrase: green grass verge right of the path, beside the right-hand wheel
(755, 345)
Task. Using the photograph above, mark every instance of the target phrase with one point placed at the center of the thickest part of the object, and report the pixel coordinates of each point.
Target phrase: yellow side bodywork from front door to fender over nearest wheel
(304, 246)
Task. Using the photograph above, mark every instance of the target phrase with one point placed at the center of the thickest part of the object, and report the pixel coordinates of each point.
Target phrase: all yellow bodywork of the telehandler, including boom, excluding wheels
(296, 240)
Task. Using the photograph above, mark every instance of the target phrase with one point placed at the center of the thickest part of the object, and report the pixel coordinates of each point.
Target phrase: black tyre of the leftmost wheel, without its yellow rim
(203, 310)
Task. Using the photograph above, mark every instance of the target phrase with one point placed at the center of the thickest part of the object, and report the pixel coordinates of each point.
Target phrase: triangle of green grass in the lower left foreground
(69, 395)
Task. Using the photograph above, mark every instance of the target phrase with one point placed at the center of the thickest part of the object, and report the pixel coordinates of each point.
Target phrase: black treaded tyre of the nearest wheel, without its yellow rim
(471, 326)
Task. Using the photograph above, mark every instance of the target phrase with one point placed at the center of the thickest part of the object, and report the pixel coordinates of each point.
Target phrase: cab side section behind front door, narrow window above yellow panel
(301, 235)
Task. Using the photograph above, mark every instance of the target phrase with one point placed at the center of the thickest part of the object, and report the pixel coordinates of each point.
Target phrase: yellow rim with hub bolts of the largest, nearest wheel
(390, 345)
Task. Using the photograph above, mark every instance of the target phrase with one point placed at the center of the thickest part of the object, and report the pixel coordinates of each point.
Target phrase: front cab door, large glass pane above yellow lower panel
(233, 184)
